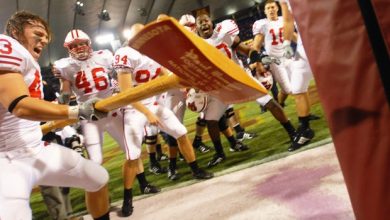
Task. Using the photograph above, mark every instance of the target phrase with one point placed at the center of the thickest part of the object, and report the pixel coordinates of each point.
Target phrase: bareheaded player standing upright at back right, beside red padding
(293, 75)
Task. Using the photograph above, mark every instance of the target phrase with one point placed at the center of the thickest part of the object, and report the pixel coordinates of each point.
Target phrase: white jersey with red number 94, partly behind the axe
(142, 68)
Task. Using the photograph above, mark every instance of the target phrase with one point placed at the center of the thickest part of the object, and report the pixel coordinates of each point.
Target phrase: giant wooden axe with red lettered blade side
(195, 64)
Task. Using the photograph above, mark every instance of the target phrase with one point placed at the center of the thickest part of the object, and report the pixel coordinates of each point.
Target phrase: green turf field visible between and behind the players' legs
(271, 140)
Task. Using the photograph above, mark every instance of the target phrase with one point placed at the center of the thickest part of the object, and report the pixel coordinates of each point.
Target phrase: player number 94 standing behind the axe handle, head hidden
(133, 69)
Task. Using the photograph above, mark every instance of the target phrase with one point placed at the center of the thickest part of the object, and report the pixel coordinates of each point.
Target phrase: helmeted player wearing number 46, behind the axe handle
(86, 73)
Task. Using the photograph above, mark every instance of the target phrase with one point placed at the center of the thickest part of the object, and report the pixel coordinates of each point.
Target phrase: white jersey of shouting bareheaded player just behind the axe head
(223, 37)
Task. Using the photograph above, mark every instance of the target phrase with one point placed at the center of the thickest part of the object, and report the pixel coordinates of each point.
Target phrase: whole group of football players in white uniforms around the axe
(90, 76)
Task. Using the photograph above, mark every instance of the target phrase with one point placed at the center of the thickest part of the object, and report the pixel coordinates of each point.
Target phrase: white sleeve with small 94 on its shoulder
(126, 59)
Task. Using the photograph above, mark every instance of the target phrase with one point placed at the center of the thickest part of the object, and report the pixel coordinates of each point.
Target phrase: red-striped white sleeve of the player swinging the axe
(13, 57)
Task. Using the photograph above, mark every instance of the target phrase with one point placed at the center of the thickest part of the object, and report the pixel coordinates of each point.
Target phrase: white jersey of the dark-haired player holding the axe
(16, 132)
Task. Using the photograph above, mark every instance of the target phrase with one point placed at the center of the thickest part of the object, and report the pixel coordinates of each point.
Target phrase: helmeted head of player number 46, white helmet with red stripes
(78, 44)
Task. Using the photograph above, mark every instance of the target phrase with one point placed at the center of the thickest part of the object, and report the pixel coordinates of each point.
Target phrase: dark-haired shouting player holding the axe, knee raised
(24, 161)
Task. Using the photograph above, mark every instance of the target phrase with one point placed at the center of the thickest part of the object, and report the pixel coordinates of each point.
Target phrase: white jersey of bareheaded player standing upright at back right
(273, 35)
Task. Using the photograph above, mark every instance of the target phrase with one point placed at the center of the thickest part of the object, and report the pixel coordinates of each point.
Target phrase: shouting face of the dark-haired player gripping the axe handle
(34, 38)
